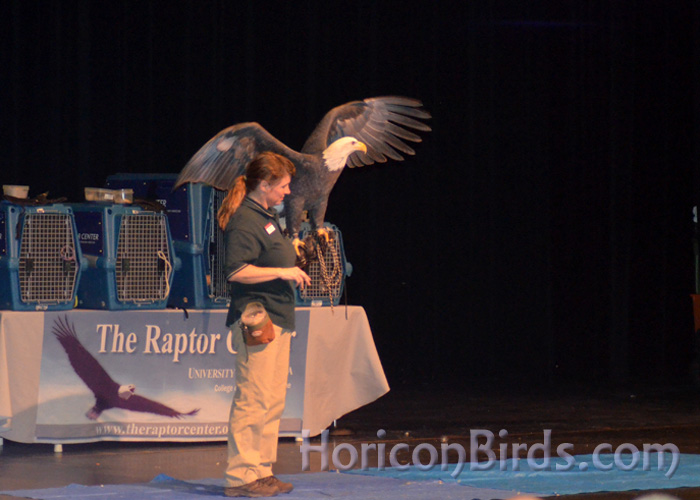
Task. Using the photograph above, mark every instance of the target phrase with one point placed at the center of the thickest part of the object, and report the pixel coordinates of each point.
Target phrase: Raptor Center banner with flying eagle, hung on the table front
(146, 375)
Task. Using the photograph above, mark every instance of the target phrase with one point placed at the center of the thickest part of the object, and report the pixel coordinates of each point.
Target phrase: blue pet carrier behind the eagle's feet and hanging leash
(327, 269)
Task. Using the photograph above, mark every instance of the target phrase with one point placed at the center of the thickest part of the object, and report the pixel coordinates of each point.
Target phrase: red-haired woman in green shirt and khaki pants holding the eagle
(260, 268)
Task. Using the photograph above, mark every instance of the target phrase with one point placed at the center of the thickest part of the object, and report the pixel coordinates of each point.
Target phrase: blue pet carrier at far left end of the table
(40, 258)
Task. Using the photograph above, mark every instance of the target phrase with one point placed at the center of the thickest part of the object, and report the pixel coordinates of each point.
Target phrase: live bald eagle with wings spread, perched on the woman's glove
(355, 134)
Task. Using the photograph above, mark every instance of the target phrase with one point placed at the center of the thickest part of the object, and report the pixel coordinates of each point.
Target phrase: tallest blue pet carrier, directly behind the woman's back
(200, 282)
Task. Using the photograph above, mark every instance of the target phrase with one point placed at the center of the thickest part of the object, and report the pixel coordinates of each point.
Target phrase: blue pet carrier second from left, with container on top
(130, 257)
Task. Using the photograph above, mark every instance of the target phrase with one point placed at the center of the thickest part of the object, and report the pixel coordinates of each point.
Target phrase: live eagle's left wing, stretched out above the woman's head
(225, 156)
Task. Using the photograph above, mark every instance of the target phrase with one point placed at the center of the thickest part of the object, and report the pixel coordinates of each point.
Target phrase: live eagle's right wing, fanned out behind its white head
(381, 123)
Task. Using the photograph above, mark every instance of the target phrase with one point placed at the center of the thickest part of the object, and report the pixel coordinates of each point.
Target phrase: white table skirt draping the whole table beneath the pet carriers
(335, 370)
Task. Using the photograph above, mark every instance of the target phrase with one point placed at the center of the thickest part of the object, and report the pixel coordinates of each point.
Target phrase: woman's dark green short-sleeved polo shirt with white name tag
(253, 237)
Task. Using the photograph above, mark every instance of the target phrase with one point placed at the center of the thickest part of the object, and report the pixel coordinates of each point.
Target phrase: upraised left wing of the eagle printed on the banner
(85, 365)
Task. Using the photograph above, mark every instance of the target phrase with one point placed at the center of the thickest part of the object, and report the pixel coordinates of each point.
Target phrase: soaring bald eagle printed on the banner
(108, 393)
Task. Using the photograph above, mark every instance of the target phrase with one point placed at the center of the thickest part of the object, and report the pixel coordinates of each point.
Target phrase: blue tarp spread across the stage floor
(416, 484)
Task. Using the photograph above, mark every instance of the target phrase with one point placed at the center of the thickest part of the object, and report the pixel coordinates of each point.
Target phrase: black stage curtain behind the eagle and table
(543, 231)
